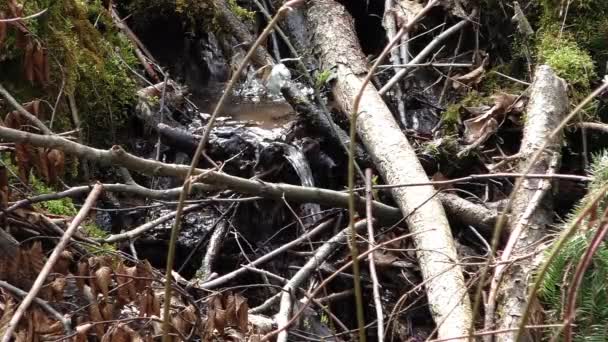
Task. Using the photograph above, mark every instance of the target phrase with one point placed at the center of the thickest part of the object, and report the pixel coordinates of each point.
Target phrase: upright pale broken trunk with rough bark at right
(532, 206)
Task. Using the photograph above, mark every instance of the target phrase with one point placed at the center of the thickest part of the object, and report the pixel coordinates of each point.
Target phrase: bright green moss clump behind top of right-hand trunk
(567, 59)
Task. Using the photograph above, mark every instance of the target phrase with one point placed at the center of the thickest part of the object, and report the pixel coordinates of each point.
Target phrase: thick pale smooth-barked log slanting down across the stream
(337, 47)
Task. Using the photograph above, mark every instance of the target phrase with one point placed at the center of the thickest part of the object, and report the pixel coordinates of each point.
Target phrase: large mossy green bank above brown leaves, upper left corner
(88, 57)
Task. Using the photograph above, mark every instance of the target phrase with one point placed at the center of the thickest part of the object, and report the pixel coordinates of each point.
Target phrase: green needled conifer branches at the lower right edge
(592, 300)
